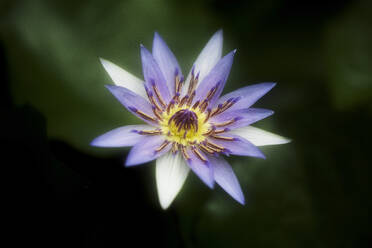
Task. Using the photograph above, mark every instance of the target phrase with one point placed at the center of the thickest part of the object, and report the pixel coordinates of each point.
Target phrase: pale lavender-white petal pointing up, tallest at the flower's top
(207, 59)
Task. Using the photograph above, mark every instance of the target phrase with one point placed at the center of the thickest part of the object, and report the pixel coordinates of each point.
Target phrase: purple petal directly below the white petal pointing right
(239, 146)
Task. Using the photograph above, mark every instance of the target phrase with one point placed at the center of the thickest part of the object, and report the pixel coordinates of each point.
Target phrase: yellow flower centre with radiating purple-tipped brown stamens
(187, 123)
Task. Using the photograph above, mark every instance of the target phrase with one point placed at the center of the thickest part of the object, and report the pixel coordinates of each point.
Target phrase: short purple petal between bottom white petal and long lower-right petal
(202, 169)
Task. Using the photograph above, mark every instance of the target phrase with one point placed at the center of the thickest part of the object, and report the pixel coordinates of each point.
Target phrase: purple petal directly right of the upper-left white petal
(153, 74)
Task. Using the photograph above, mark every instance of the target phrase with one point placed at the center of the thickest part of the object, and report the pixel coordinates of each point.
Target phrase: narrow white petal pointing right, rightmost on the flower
(260, 137)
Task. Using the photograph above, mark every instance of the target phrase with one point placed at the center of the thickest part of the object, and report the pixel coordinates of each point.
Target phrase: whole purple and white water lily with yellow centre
(189, 126)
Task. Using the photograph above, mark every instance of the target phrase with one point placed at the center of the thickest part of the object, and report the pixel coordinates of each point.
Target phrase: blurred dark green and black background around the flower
(313, 192)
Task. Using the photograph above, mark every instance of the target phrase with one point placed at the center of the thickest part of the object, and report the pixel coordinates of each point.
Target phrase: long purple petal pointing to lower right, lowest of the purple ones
(225, 177)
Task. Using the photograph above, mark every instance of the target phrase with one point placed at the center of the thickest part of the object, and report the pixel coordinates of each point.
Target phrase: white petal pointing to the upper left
(123, 78)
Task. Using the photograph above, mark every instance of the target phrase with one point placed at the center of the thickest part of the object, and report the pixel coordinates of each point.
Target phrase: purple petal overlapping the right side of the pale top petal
(217, 76)
